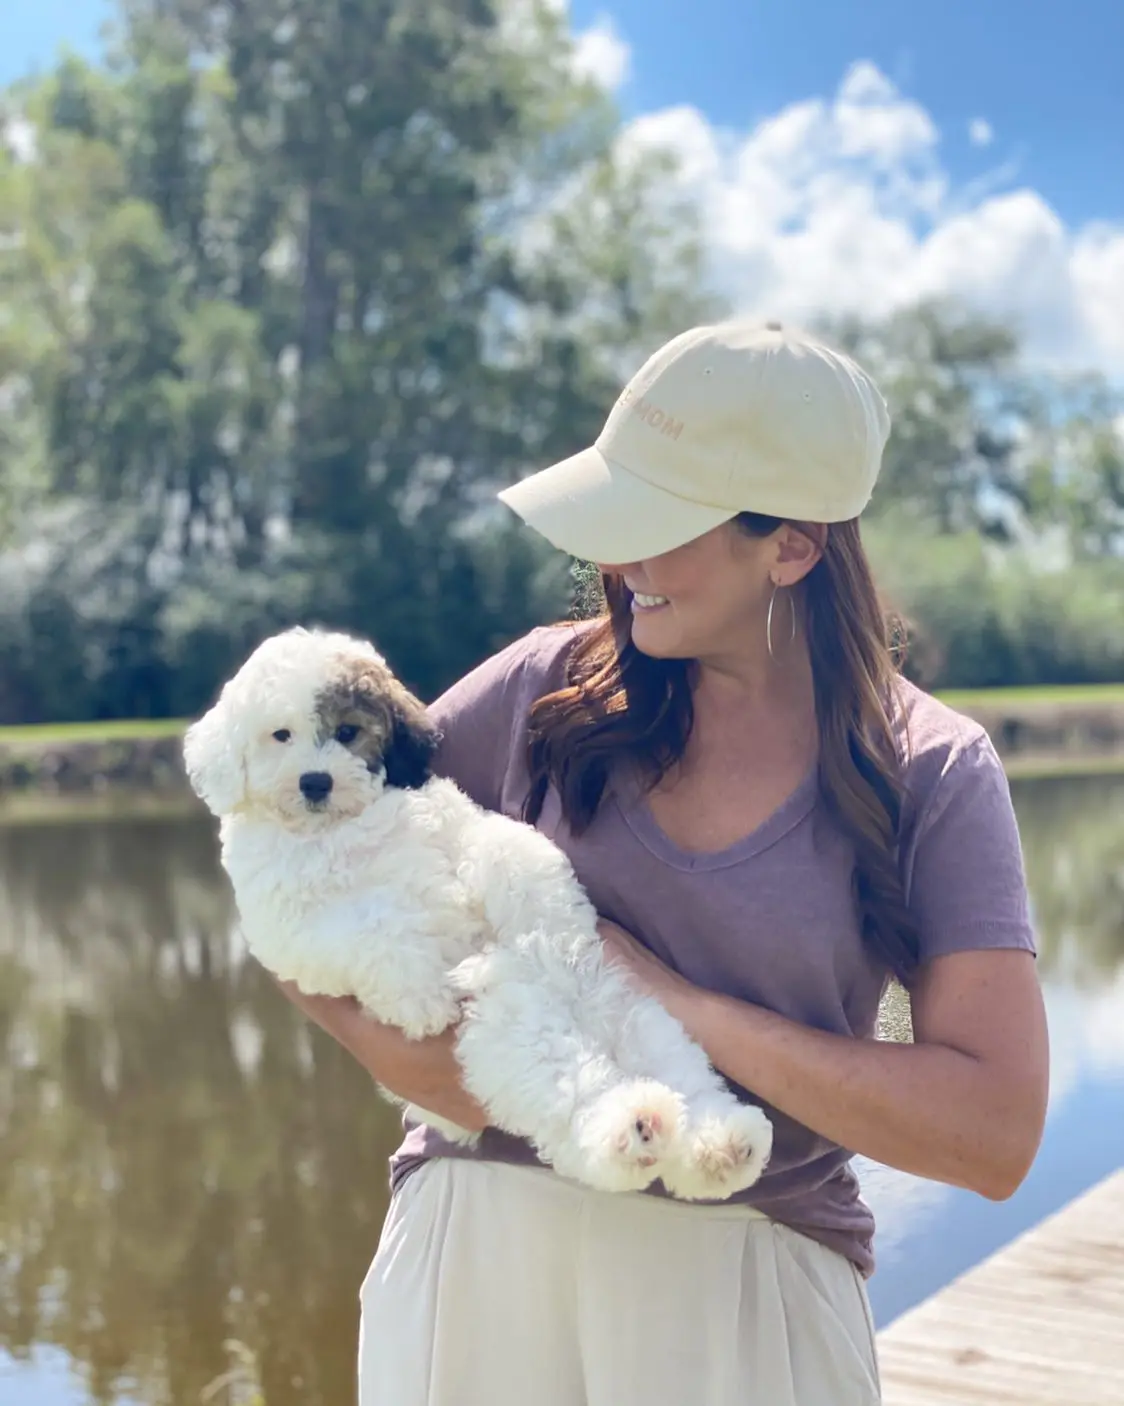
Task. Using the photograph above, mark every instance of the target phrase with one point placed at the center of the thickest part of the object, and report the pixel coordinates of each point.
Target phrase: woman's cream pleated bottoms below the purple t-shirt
(510, 1287)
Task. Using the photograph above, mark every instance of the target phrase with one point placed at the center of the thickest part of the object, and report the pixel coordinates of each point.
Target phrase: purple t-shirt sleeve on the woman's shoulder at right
(969, 886)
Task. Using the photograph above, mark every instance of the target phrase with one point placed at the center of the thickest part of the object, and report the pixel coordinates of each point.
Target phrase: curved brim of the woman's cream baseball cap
(597, 511)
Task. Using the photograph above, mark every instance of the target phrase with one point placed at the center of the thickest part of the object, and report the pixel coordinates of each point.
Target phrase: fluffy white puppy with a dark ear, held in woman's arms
(359, 874)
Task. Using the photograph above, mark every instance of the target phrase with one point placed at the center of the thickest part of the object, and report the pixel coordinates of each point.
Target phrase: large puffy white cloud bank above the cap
(845, 206)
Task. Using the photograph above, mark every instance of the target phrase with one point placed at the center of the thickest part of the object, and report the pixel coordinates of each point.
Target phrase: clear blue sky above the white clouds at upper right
(1046, 75)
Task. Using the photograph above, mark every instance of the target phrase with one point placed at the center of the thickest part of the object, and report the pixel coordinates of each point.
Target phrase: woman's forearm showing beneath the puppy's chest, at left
(424, 1072)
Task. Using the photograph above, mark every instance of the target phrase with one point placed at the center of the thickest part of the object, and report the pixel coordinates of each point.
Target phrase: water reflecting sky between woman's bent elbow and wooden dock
(929, 1234)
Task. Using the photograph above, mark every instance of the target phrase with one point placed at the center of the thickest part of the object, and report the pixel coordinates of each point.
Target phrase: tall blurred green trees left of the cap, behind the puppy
(296, 288)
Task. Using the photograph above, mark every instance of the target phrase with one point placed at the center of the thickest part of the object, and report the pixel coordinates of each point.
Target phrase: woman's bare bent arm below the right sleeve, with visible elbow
(964, 1104)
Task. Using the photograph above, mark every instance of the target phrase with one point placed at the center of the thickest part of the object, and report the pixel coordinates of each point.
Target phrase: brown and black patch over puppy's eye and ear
(371, 714)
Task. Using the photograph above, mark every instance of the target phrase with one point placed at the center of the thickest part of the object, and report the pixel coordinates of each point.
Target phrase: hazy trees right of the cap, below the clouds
(984, 444)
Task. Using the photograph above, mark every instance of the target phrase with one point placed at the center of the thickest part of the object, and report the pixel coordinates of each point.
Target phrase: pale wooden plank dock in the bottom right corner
(1040, 1324)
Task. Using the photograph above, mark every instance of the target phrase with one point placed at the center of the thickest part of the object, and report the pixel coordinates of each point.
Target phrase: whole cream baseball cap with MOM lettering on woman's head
(724, 420)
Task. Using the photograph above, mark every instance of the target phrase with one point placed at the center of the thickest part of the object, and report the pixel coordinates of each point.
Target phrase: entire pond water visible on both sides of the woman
(192, 1180)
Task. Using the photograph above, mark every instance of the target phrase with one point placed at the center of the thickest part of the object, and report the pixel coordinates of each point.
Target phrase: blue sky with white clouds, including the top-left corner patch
(853, 155)
